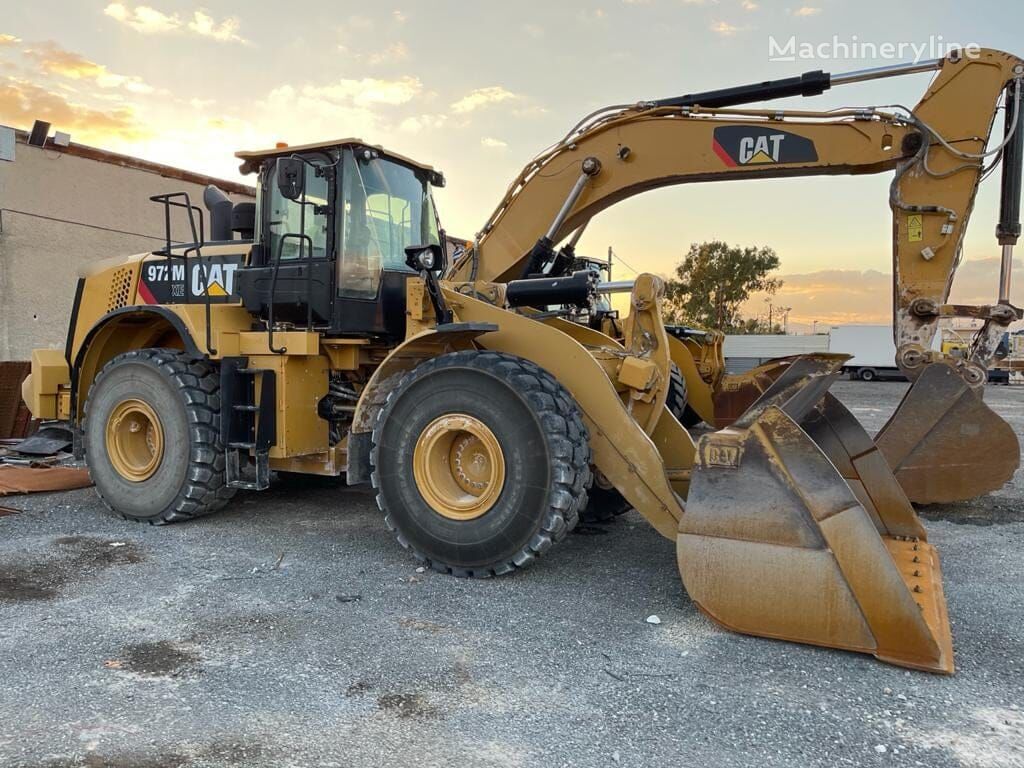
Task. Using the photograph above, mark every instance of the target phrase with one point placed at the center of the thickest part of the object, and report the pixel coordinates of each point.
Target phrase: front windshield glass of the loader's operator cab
(385, 208)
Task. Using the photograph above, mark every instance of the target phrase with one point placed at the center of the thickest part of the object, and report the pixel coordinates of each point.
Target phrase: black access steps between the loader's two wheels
(248, 430)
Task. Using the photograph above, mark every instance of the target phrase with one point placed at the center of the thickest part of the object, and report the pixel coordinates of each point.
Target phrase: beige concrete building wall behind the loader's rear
(62, 208)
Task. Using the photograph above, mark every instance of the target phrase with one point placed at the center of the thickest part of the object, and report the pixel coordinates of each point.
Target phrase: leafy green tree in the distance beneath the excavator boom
(714, 280)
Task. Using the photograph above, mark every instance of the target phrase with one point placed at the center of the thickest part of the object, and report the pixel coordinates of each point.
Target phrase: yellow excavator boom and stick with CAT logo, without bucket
(935, 151)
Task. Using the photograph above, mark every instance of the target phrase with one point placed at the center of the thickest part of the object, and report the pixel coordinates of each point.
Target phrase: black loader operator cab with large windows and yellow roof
(333, 223)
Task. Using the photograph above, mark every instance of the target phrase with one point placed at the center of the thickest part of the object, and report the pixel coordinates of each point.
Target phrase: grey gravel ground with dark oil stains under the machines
(292, 631)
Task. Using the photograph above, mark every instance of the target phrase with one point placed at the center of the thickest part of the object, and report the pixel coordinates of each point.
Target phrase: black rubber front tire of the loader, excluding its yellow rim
(547, 460)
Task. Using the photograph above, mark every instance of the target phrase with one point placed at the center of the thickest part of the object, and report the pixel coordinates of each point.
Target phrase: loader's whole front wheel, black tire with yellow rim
(482, 463)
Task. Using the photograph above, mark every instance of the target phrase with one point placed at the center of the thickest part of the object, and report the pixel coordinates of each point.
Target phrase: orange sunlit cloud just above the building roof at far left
(22, 103)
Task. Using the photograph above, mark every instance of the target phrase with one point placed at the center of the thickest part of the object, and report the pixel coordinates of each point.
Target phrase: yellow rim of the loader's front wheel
(459, 467)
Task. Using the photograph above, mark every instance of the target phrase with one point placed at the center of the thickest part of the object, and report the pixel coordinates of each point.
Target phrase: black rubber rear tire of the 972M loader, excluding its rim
(186, 396)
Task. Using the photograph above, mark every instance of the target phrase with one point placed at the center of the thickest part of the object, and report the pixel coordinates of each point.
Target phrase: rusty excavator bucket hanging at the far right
(945, 444)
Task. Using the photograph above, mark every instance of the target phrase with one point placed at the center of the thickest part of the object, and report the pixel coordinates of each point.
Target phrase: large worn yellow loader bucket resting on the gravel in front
(788, 538)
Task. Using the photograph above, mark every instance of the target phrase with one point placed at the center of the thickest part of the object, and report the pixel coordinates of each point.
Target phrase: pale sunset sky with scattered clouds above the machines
(477, 90)
